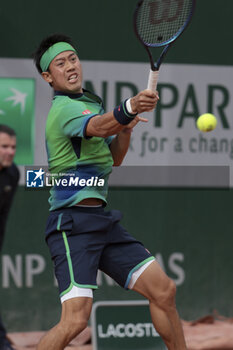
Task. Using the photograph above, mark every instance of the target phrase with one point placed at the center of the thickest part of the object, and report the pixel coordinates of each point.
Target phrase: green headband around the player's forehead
(52, 52)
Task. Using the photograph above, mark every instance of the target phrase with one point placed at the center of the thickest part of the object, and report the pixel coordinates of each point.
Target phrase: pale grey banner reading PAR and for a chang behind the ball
(170, 137)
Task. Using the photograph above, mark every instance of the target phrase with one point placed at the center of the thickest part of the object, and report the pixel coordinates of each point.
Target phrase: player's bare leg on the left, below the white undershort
(74, 318)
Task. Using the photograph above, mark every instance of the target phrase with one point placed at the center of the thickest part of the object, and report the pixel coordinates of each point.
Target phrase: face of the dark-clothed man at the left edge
(7, 149)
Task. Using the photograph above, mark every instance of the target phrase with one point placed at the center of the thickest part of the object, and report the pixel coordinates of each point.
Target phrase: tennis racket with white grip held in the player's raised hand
(158, 23)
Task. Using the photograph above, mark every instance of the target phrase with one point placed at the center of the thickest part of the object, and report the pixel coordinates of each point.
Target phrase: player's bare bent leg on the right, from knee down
(160, 290)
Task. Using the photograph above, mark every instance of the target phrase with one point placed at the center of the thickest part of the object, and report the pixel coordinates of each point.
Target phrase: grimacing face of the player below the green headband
(65, 73)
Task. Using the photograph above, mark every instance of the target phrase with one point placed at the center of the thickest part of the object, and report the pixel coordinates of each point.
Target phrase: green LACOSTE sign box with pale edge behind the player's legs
(124, 325)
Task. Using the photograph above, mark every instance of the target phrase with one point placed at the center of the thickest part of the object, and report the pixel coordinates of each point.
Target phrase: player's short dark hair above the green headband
(45, 45)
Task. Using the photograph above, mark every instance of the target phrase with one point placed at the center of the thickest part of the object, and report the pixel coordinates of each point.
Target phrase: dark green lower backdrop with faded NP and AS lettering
(189, 231)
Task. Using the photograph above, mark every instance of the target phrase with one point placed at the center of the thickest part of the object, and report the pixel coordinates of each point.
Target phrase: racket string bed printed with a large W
(158, 21)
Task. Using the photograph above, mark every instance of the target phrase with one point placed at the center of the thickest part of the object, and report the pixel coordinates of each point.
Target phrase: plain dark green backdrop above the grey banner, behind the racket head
(103, 30)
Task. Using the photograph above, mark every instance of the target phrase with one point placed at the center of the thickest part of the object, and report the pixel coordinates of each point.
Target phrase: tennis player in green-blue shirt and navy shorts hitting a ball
(84, 142)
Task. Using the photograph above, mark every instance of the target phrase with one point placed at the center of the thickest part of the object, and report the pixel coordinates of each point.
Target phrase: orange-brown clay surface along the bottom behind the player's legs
(207, 333)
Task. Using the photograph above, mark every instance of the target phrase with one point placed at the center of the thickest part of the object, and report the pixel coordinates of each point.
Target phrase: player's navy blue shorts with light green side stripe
(83, 240)
